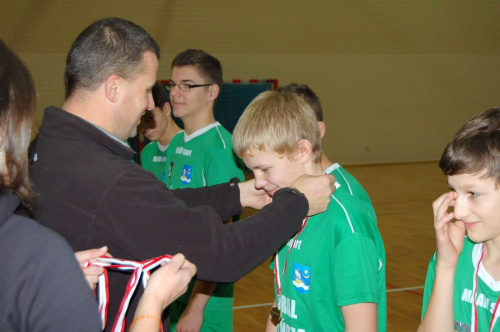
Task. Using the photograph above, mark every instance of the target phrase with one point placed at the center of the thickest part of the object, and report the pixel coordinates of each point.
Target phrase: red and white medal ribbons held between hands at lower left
(140, 269)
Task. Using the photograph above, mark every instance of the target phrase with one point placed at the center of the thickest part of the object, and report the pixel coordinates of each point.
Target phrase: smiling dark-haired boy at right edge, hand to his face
(462, 287)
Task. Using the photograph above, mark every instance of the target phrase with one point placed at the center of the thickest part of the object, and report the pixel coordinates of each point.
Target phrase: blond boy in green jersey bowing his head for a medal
(331, 275)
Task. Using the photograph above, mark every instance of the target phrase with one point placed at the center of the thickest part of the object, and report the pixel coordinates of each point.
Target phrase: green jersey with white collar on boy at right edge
(487, 294)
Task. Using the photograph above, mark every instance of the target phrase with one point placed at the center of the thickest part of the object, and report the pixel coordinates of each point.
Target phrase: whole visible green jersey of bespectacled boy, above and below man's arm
(204, 158)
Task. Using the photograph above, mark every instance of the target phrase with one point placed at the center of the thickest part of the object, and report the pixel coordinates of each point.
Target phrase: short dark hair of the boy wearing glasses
(206, 65)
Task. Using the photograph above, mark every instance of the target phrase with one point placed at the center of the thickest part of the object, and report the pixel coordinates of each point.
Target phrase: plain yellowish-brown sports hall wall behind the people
(396, 78)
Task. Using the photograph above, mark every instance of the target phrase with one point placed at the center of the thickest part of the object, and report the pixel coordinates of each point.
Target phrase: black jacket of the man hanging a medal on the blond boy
(92, 195)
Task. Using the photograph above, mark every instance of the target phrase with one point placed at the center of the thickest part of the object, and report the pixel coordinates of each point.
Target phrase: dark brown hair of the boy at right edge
(475, 149)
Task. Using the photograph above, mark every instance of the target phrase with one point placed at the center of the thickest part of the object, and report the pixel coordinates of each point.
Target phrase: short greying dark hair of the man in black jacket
(108, 46)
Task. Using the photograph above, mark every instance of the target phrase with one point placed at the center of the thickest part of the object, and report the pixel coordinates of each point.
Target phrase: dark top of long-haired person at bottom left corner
(42, 287)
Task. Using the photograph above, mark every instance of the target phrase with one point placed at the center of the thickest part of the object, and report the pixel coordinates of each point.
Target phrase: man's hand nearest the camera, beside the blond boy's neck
(317, 190)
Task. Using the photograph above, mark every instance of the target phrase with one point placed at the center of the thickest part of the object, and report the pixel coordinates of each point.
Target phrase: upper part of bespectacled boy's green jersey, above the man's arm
(203, 158)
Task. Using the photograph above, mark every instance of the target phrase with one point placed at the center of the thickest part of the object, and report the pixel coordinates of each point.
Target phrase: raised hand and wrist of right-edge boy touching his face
(450, 235)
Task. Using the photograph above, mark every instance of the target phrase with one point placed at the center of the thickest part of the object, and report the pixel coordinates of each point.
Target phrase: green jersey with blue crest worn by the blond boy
(337, 260)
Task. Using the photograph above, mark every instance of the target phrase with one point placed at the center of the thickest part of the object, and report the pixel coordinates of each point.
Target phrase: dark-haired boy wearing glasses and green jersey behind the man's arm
(201, 155)
